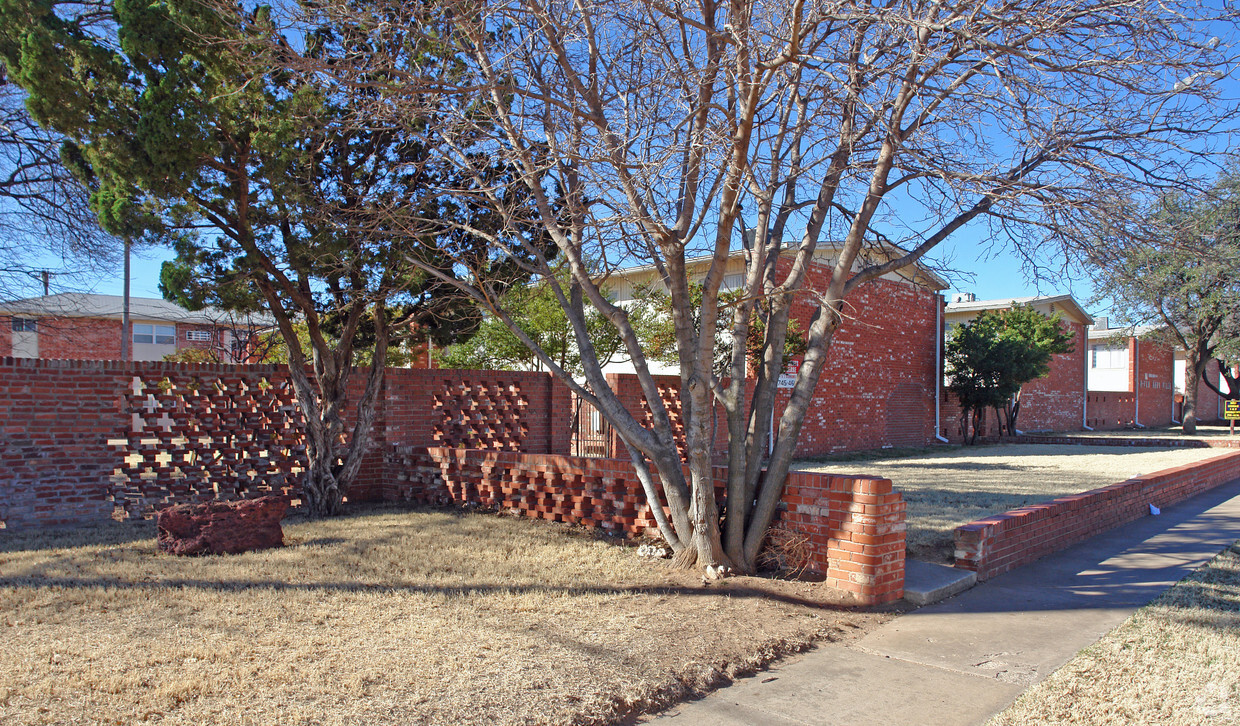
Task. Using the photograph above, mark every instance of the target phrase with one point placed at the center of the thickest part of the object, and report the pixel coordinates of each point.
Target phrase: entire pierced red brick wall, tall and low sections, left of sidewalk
(85, 441)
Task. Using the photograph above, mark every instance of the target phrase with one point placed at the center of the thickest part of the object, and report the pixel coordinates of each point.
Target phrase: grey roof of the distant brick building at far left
(111, 307)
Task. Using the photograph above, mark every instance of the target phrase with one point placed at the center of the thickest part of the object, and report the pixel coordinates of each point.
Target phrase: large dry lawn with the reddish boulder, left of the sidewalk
(380, 617)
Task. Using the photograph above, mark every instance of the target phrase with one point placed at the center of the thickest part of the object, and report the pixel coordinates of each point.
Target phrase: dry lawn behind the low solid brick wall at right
(952, 487)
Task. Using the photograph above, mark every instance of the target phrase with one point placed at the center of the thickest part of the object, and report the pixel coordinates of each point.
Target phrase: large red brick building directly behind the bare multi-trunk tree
(881, 383)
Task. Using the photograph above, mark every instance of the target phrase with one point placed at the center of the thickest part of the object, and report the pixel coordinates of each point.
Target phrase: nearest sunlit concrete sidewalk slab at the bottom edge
(844, 687)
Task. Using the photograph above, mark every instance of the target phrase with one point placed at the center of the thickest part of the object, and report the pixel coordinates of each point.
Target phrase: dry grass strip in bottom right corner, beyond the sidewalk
(1174, 662)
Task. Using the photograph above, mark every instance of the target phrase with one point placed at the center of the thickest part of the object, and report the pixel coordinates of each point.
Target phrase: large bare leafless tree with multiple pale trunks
(846, 135)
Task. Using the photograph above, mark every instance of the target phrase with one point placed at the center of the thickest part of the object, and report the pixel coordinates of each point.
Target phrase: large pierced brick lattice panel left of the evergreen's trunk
(197, 439)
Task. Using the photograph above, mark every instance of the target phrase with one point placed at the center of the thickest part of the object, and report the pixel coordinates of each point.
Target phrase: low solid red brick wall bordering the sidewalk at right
(998, 544)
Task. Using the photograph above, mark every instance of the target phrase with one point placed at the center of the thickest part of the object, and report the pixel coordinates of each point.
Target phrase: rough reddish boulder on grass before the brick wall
(216, 528)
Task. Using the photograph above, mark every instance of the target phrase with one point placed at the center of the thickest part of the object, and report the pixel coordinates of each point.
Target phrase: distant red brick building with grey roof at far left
(89, 327)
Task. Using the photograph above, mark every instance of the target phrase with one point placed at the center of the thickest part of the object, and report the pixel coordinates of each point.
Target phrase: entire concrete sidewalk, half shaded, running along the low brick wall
(965, 660)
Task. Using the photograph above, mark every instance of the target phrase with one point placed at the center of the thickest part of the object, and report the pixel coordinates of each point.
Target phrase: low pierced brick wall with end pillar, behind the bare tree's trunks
(856, 527)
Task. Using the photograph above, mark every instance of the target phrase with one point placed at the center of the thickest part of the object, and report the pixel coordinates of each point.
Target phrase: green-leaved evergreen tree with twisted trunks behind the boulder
(197, 126)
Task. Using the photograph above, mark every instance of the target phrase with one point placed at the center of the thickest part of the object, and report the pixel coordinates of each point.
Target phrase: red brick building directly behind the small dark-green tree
(1055, 403)
